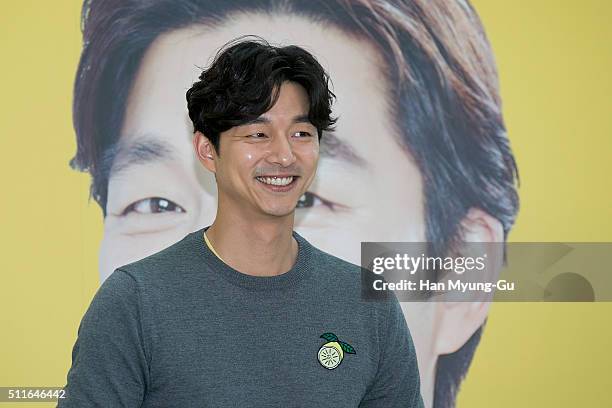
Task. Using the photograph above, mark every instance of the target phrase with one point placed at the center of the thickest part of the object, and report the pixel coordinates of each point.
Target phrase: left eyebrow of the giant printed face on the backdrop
(143, 150)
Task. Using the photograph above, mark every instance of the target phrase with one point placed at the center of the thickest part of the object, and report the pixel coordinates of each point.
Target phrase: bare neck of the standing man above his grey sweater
(260, 246)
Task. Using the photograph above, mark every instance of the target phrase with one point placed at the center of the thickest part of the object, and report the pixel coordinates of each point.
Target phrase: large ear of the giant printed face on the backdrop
(459, 320)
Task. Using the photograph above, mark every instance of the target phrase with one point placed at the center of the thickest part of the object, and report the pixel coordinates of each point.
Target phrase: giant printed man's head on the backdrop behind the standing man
(420, 155)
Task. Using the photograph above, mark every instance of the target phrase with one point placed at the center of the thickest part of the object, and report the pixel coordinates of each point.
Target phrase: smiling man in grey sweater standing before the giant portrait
(247, 312)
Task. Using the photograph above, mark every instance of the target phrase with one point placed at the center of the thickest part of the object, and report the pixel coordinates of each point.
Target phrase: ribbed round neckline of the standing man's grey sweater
(285, 280)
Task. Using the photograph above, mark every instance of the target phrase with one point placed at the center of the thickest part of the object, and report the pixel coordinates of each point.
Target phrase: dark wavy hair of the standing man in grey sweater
(244, 80)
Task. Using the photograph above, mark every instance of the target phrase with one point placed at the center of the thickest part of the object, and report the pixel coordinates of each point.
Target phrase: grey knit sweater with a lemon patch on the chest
(180, 328)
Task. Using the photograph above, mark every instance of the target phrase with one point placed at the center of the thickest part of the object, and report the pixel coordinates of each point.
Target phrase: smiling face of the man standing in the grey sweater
(256, 159)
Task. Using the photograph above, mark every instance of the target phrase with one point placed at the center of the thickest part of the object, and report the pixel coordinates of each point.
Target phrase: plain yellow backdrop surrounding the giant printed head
(555, 62)
